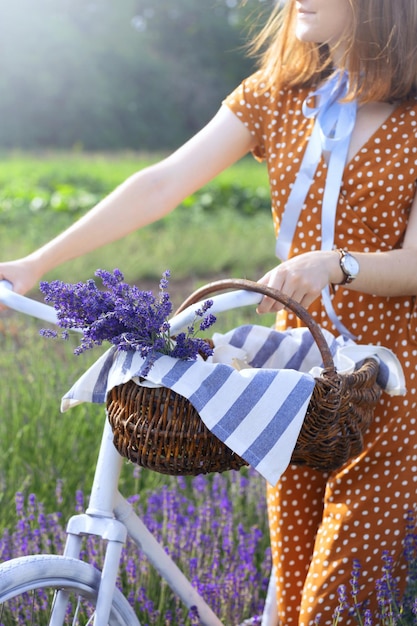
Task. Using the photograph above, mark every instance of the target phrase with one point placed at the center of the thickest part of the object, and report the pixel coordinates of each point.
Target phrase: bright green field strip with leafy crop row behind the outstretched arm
(74, 183)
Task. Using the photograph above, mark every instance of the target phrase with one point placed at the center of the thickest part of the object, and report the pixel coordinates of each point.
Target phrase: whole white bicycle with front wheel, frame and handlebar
(72, 591)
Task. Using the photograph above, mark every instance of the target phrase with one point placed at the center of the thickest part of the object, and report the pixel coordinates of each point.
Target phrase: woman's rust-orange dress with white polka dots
(320, 523)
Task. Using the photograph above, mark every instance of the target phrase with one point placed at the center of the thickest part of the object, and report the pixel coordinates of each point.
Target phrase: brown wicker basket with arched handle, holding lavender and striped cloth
(160, 430)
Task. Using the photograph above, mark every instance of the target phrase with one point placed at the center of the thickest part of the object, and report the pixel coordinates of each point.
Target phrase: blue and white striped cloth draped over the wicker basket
(257, 411)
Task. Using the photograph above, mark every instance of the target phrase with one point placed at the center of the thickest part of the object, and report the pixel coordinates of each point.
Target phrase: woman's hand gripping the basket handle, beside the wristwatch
(302, 278)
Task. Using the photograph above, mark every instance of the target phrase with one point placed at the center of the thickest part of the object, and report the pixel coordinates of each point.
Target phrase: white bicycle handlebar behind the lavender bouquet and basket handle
(221, 302)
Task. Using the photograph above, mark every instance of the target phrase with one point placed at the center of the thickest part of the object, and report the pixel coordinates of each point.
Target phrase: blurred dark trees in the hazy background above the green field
(109, 75)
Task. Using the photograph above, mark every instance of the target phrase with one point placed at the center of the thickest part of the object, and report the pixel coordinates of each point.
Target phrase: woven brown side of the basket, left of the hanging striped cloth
(161, 430)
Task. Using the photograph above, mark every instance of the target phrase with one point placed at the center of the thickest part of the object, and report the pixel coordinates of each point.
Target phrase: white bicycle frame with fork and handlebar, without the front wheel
(109, 515)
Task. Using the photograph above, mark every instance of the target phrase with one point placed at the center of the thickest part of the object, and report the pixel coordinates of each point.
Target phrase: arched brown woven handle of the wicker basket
(289, 303)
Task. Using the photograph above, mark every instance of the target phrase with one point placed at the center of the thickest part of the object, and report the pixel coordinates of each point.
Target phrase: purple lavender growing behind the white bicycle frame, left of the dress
(215, 528)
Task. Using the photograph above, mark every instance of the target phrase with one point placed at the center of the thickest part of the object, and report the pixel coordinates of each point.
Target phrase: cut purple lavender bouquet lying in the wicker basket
(125, 316)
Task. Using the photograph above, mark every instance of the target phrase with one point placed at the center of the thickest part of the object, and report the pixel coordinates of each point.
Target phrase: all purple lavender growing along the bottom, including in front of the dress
(215, 528)
